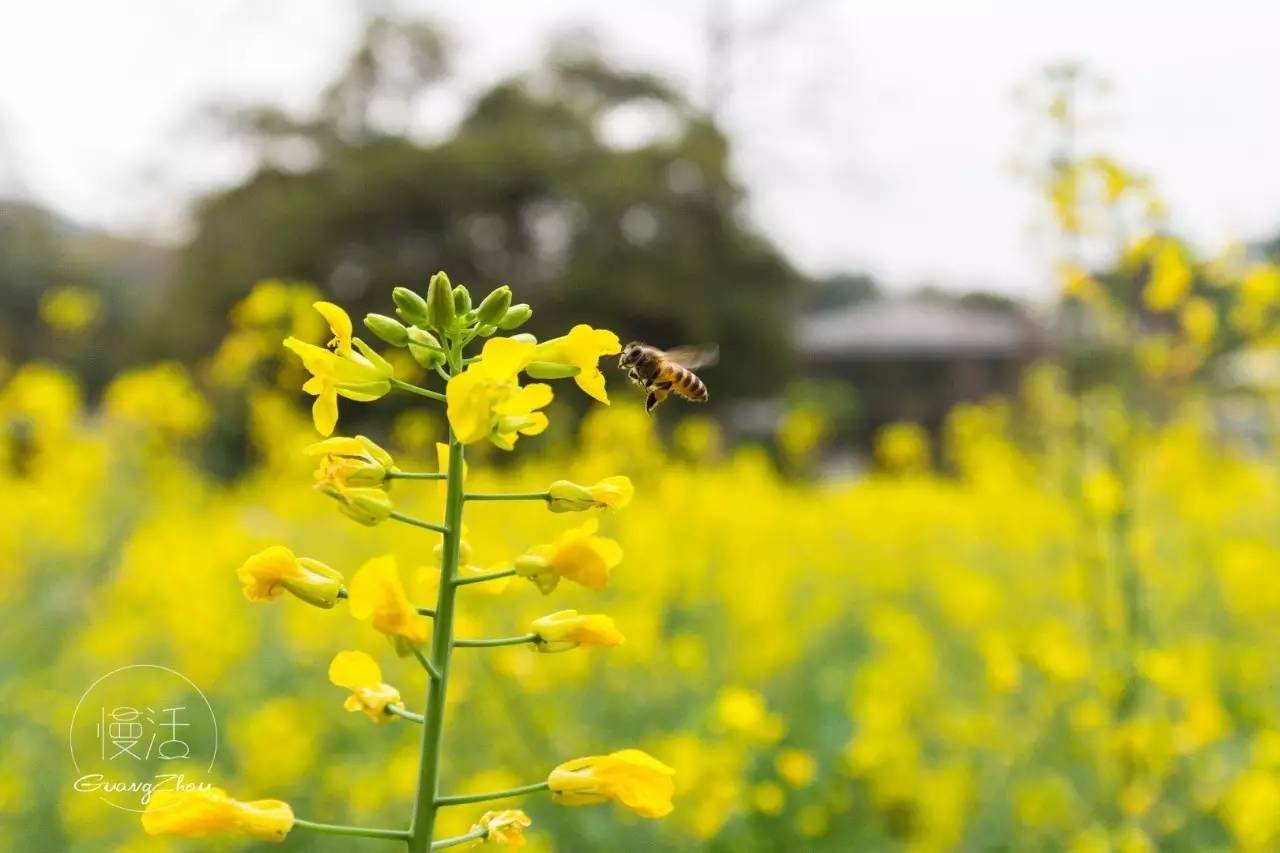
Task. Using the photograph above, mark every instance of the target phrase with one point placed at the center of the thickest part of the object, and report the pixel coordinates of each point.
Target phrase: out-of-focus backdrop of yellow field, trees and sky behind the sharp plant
(976, 546)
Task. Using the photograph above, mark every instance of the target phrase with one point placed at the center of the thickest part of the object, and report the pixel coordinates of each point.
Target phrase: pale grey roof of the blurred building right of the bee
(915, 329)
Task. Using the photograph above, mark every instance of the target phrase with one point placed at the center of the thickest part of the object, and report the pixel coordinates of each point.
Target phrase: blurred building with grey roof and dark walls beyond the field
(913, 359)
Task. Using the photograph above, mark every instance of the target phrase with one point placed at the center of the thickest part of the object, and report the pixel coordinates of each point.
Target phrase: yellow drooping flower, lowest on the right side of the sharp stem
(629, 777)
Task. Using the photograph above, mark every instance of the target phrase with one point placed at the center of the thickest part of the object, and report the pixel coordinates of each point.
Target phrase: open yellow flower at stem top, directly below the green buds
(487, 402)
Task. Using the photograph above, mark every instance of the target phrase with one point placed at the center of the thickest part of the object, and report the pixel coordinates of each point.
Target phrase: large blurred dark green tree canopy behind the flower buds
(532, 189)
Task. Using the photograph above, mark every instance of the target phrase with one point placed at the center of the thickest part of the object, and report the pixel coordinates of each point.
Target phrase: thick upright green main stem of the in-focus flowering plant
(423, 824)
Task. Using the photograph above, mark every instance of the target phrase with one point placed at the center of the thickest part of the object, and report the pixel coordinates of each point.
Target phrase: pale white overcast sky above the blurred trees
(872, 135)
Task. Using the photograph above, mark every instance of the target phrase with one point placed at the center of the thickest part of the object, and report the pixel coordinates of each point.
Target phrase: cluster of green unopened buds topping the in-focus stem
(446, 312)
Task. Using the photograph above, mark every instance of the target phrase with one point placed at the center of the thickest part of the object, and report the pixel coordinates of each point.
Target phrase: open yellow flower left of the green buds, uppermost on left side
(362, 376)
